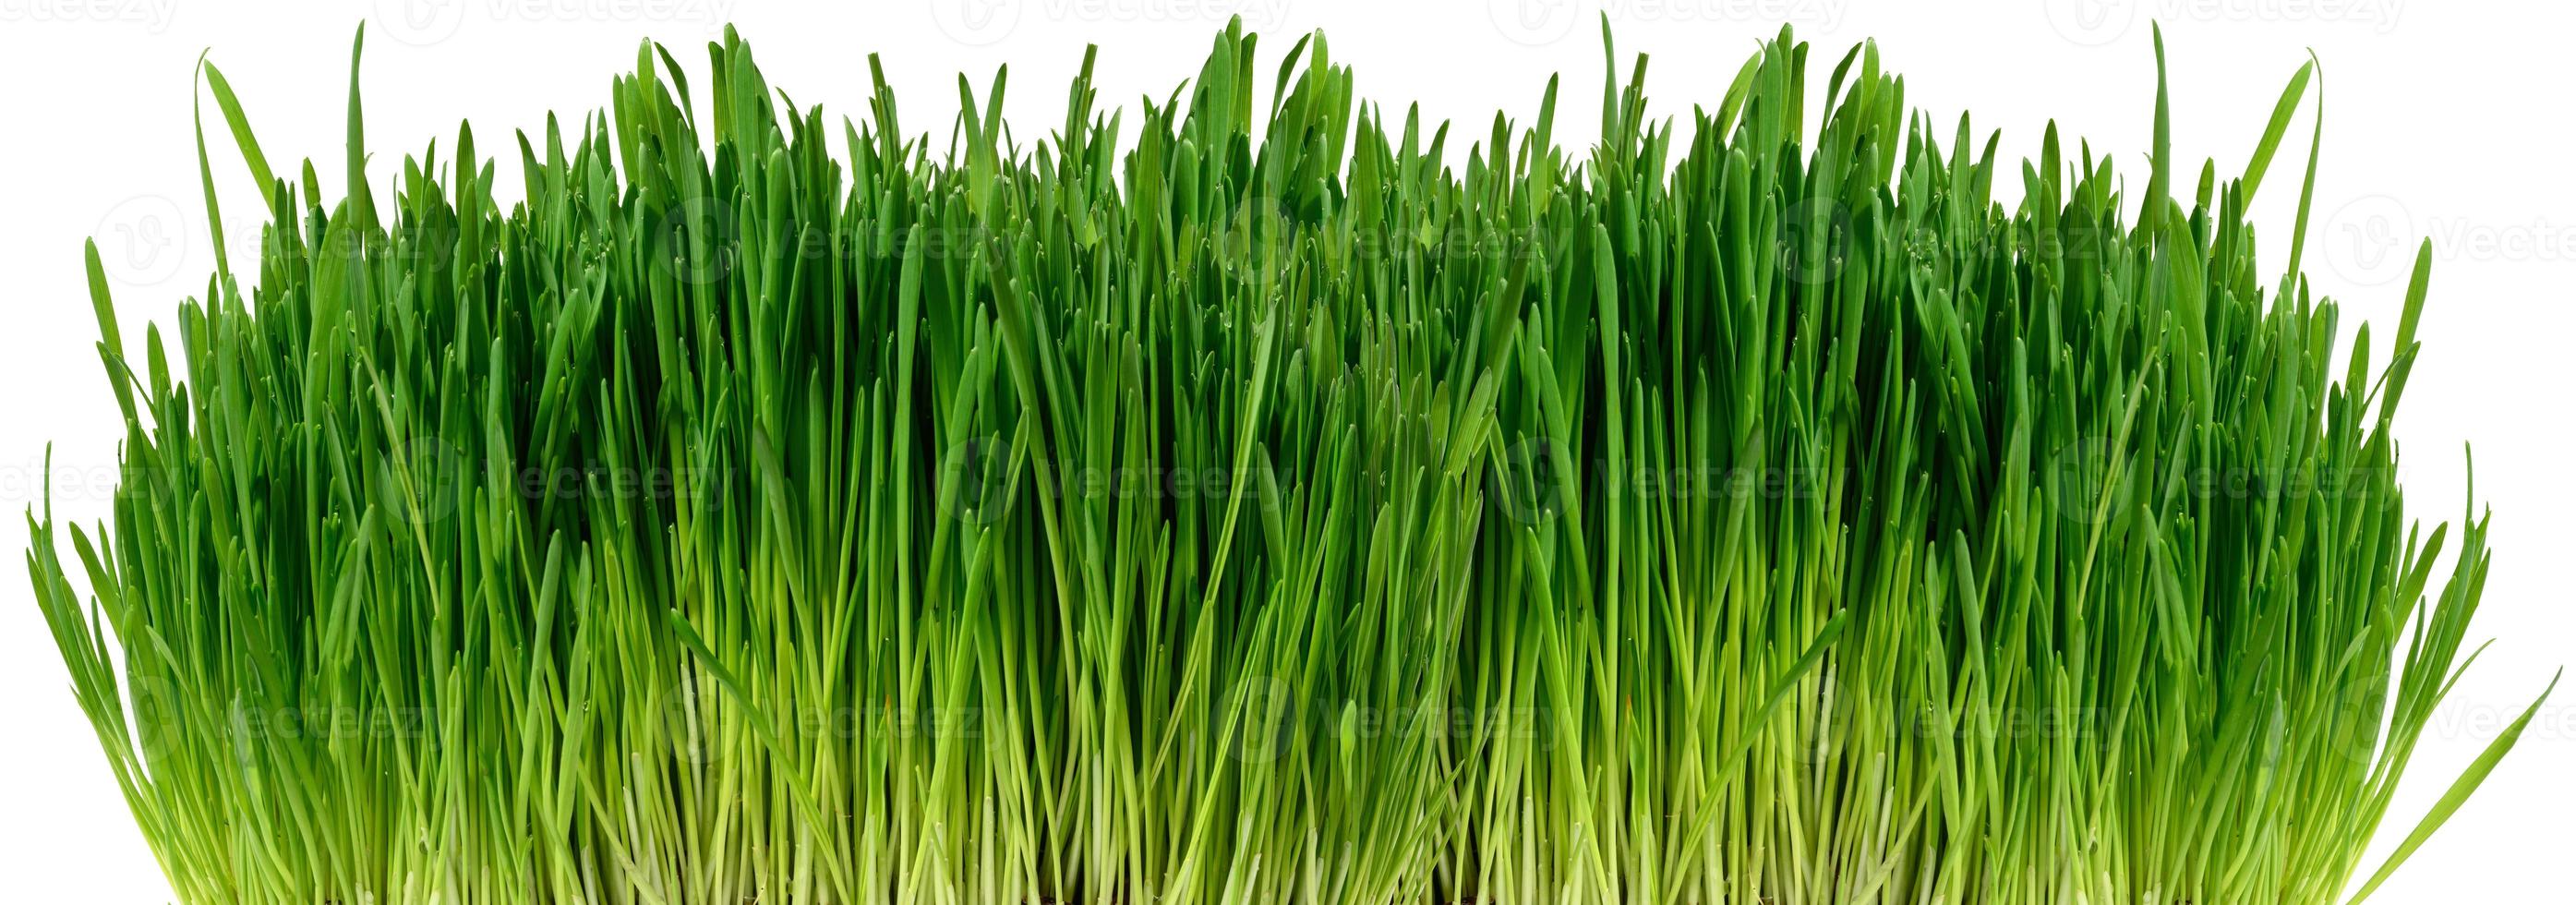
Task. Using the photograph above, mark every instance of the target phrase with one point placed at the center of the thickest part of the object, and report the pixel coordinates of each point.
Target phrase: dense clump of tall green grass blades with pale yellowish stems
(1261, 512)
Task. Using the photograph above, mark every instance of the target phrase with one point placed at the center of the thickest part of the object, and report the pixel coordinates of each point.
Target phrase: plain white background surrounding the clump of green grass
(2443, 120)
